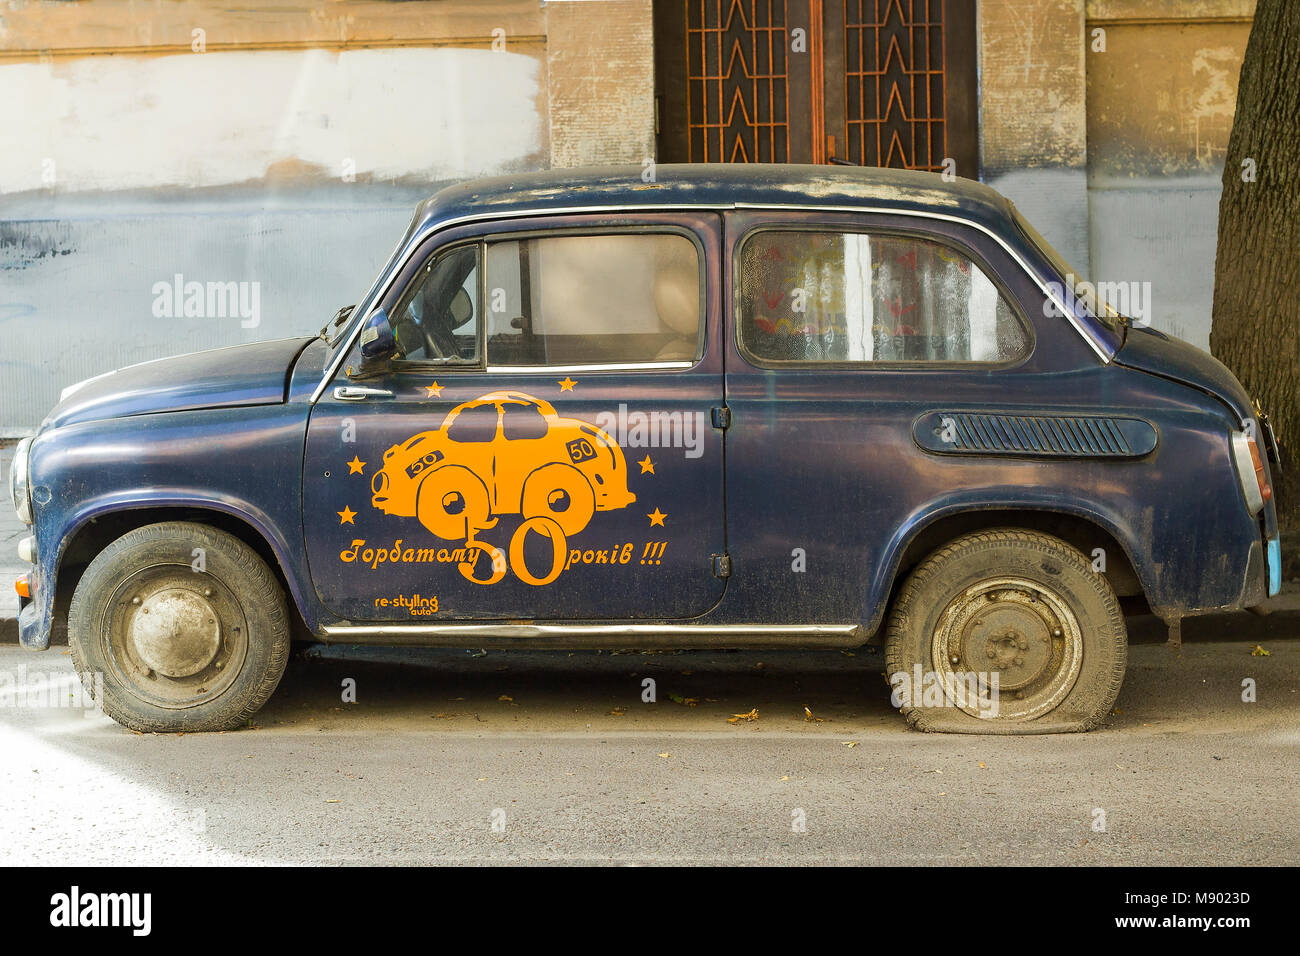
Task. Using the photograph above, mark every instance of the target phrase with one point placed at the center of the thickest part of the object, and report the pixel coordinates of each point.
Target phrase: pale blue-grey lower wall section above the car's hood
(77, 292)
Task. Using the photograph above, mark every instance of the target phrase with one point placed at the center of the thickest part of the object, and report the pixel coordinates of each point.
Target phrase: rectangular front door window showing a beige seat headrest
(593, 300)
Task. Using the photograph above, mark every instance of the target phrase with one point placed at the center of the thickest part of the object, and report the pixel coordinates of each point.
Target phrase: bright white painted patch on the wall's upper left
(120, 123)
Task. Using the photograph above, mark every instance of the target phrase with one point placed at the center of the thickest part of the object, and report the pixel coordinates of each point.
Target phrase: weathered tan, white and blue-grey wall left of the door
(281, 149)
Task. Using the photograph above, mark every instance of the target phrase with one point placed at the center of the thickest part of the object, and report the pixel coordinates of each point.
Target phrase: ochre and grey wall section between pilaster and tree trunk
(1162, 101)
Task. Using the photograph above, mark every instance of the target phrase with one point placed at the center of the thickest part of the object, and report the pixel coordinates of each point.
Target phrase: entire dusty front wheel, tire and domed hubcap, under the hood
(179, 628)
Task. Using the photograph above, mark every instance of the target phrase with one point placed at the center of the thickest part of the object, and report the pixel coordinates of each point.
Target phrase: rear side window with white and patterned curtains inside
(851, 297)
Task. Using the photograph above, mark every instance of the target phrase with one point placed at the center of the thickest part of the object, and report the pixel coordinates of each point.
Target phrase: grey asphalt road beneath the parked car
(561, 752)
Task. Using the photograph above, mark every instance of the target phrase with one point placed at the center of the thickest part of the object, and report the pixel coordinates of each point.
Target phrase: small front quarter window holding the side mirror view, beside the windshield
(437, 317)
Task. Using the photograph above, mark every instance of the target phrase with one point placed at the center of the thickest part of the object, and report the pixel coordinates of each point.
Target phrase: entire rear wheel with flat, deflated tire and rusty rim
(1016, 611)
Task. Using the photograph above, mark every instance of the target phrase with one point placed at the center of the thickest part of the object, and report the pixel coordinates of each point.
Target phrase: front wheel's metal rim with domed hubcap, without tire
(174, 637)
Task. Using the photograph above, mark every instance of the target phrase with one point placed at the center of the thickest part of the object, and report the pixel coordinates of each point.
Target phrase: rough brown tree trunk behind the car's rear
(1256, 321)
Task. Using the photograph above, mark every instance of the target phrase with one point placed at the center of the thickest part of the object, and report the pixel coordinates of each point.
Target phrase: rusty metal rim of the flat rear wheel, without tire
(1022, 631)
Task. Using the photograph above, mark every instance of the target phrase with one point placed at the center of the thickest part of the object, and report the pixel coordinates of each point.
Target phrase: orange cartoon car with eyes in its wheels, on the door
(504, 453)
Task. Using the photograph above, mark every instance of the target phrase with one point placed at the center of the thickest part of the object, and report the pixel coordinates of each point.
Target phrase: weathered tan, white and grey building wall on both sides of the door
(285, 148)
